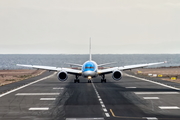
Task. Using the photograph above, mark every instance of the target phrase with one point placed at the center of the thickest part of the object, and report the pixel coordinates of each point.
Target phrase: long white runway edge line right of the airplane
(153, 82)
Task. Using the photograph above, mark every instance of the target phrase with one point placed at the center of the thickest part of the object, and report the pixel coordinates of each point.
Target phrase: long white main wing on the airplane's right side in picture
(129, 67)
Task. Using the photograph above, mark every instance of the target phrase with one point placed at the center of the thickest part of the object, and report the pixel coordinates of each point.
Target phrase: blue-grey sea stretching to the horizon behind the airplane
(9, 61)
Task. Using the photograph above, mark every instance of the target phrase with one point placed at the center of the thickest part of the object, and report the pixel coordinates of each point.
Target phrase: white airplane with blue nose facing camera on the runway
(90, 70)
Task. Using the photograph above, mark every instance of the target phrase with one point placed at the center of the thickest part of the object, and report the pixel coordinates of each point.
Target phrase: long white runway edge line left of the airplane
(6, 93)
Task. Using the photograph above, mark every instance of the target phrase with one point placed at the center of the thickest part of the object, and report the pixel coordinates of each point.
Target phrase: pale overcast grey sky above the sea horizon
(65, 26)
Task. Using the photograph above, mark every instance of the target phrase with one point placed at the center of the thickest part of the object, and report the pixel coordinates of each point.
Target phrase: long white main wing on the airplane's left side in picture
(68, 70)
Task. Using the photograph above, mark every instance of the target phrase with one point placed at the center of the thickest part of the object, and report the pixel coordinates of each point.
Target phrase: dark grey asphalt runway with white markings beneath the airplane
(132, 98)
